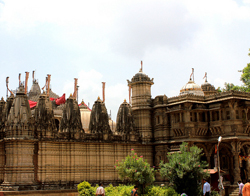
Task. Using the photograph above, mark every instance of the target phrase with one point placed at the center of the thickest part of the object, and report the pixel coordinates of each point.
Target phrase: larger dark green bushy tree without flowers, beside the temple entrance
(185, 169)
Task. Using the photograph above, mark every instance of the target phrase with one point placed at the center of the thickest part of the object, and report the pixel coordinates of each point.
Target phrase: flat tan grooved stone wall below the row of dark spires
(76, 162)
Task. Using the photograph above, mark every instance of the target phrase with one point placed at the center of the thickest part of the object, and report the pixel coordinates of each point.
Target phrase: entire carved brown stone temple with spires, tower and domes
(57, 144)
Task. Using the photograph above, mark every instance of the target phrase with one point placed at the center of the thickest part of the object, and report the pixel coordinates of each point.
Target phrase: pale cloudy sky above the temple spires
(105, 41)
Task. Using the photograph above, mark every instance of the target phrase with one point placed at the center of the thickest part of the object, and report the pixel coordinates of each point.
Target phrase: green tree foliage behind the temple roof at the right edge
(245, 78)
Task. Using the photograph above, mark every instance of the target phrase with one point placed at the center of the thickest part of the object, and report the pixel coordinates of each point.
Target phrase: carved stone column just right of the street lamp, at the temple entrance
(236, 151)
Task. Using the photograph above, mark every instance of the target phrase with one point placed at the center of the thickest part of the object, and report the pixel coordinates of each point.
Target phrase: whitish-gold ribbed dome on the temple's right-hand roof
(191, 88)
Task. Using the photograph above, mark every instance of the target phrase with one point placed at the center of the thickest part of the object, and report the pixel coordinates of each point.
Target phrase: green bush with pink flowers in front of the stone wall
(136, 170)
